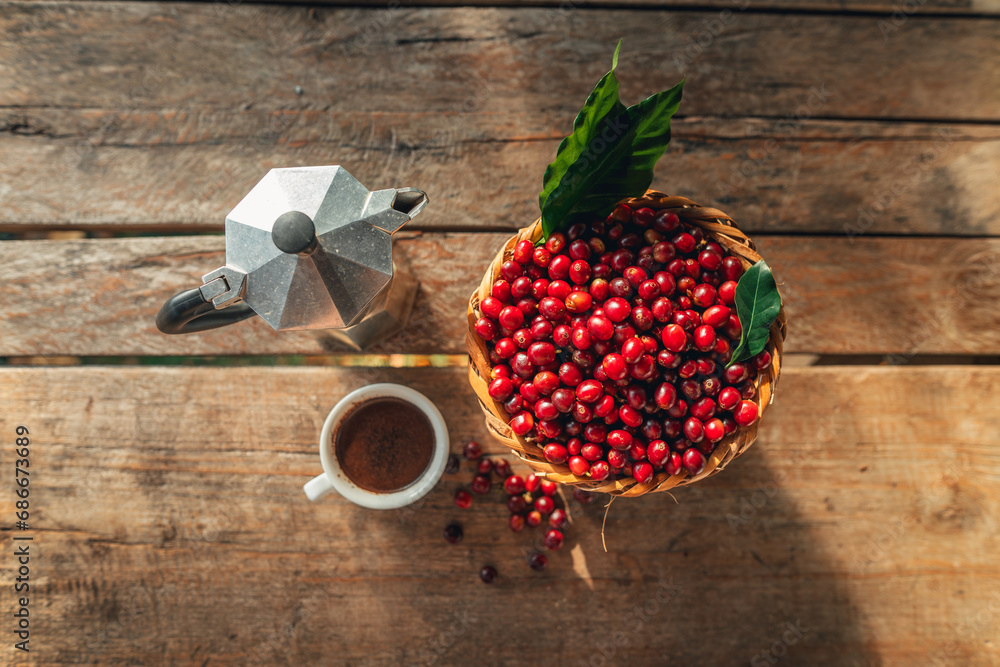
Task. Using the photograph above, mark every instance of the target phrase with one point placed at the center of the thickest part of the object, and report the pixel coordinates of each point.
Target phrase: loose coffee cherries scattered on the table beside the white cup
(532, 502)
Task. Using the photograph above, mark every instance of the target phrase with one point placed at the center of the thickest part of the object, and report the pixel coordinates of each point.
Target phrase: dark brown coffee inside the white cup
(384, 444)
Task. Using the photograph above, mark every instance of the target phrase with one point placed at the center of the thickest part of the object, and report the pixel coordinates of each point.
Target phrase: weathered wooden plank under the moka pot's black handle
(861, 295)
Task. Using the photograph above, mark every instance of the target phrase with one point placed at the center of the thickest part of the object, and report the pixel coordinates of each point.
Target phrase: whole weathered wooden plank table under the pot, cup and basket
(857, 140)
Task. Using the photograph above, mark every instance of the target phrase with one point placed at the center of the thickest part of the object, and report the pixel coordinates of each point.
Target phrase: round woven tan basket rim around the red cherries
(723, 230)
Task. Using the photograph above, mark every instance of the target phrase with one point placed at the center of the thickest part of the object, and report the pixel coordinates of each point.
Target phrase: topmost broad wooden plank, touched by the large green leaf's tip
(216, 57)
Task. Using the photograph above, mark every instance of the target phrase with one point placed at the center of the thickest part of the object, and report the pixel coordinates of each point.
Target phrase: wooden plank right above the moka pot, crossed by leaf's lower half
(186, 169)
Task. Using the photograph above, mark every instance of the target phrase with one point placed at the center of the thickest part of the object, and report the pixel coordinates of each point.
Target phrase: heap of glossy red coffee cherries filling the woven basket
(610, 346)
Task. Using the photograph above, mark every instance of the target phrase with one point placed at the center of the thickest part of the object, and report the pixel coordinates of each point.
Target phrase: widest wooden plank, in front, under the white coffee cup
(169, 525)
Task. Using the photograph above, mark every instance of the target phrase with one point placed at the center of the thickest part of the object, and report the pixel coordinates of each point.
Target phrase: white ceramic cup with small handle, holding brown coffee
(334, 479)
